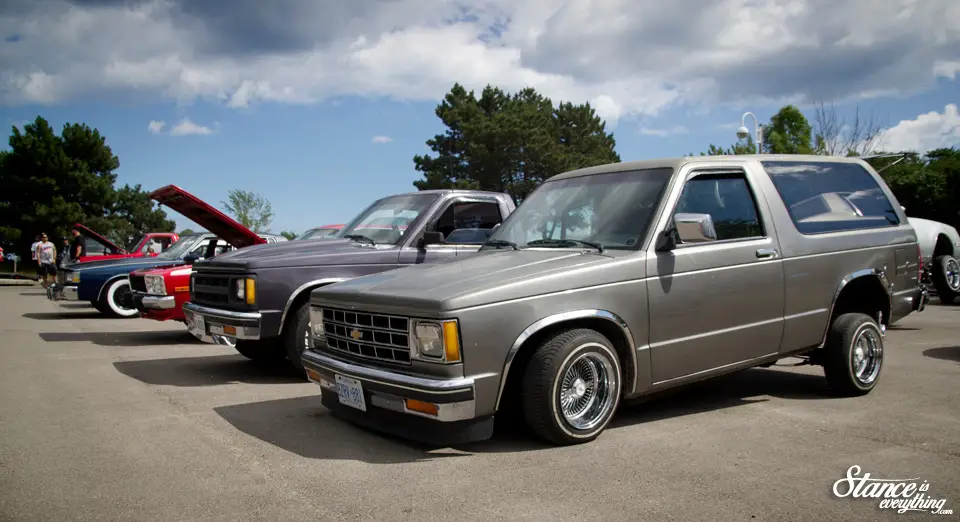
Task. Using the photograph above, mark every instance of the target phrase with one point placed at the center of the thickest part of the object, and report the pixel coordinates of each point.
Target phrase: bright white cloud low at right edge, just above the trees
(928, 131)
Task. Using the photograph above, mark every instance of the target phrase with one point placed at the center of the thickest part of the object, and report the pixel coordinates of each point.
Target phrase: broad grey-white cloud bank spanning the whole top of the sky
(626, 57)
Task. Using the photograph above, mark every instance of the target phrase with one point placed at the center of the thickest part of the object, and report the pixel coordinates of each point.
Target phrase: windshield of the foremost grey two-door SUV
(613, 210)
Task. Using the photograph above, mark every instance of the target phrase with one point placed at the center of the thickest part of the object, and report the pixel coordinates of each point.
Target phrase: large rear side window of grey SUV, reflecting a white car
(830, 197)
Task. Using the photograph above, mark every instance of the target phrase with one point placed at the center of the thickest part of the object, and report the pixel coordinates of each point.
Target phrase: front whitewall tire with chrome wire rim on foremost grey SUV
(571, 387)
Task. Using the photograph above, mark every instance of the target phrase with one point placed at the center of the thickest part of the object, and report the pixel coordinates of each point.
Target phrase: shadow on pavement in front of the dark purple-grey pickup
(207, 371)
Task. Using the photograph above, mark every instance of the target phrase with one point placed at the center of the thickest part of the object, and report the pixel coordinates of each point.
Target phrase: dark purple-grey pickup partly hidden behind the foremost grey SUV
(259, 295)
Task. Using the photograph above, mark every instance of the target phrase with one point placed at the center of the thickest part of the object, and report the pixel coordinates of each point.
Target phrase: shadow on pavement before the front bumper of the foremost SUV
(302, 426)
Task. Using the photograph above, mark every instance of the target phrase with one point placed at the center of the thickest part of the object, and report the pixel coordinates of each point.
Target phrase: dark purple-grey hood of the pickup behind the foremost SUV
(302, 253)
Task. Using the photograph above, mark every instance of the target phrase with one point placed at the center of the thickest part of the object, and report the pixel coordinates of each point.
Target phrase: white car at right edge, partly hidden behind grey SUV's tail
(939, 248)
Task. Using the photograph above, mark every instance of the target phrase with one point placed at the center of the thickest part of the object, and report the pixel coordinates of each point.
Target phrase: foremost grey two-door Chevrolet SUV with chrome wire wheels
(616, 281)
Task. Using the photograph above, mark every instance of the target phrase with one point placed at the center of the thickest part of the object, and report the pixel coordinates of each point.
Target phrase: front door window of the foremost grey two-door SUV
(728, 200)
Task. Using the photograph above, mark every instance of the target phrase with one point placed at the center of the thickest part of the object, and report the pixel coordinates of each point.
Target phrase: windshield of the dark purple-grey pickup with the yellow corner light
(385, 221)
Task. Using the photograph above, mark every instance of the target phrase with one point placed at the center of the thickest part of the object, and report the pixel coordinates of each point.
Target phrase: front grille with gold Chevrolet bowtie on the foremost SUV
(370, 335)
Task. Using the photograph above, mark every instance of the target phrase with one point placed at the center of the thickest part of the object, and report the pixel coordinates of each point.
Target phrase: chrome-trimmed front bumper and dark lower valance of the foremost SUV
(431, 411)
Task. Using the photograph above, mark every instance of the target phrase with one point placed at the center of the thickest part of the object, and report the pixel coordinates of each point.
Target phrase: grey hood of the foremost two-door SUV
(486, 277)
